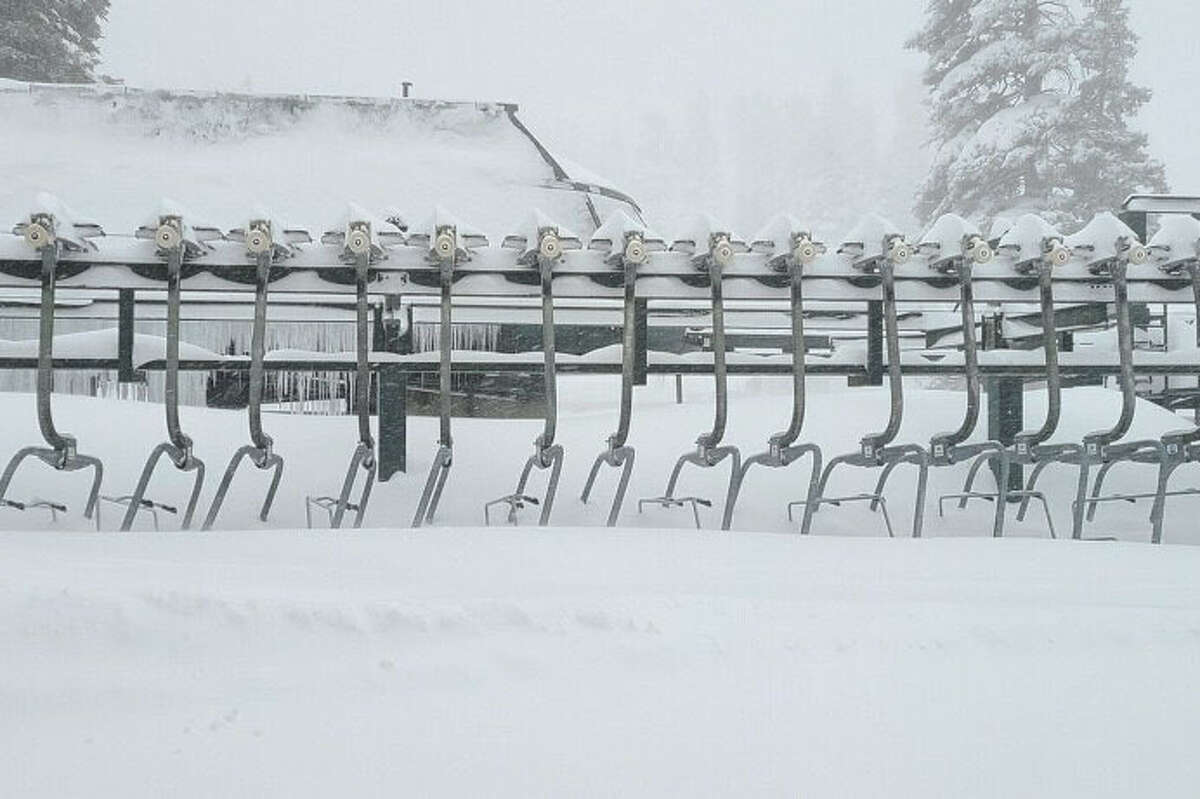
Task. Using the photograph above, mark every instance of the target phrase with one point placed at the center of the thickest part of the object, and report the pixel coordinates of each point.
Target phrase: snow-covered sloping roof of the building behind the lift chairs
(115, 153)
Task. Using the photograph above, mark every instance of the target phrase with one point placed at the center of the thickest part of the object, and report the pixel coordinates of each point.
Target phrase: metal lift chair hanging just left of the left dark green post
(363, 242)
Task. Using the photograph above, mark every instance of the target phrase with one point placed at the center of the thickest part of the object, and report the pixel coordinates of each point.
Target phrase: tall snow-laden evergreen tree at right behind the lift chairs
(1030, 105)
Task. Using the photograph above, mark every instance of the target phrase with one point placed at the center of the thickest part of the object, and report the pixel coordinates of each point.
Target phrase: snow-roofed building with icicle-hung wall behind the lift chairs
(115, 153)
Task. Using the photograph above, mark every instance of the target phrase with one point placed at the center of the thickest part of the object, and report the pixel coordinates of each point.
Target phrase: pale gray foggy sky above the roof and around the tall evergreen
(740, 110)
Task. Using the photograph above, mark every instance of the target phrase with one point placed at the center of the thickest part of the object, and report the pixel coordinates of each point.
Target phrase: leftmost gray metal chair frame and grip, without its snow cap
(63, 453)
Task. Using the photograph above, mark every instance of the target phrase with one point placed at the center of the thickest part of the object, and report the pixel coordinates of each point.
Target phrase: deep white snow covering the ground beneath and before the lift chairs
(266, 660)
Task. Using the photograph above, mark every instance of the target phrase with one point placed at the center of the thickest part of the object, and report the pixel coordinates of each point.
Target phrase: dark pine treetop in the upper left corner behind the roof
(51, 41)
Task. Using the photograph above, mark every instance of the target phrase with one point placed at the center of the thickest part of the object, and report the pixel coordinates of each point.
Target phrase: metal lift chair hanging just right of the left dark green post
(448, 243)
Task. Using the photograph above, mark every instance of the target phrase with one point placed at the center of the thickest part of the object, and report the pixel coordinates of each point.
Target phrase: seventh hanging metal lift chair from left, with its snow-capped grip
(628, 247)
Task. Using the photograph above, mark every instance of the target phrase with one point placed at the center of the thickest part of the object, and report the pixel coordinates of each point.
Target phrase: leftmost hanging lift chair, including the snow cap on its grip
(51, 232)
